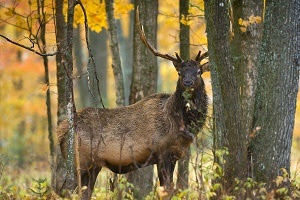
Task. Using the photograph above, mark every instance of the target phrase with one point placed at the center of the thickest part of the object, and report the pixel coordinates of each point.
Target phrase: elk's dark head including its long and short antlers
(189, 71)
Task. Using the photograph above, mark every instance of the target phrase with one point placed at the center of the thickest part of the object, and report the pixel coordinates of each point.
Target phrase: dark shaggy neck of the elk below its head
(191, 105)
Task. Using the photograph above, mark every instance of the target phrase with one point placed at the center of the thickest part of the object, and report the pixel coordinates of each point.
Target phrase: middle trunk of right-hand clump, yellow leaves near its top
(245, 51)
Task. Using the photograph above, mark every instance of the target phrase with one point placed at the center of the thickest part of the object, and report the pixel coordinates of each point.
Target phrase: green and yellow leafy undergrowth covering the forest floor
(205, 183)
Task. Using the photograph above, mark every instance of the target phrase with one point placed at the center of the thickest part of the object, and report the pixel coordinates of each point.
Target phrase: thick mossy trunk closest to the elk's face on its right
(227, 110)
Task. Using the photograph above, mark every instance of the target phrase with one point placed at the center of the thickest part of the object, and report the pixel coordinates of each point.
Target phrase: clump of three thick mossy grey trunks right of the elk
(247, 121)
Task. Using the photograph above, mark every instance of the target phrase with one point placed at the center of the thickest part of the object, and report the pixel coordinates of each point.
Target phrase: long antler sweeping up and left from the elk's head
(176, 59)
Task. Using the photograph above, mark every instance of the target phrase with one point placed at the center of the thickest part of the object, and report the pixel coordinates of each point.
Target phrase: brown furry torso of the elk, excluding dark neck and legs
(126, 136)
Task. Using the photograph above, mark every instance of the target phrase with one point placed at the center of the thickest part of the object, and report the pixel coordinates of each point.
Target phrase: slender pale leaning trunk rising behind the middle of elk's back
(116, 64)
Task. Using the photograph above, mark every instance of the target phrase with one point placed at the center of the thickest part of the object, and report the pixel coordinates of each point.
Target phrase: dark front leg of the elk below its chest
(165, 169)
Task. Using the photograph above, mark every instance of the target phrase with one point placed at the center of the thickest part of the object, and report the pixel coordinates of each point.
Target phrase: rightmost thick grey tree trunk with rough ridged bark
(278, 80)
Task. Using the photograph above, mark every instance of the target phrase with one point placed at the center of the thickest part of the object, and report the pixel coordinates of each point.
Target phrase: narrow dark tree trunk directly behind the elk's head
(184, 37)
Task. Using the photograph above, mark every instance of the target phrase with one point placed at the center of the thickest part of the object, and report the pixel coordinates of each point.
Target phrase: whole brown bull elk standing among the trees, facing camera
(156, 130)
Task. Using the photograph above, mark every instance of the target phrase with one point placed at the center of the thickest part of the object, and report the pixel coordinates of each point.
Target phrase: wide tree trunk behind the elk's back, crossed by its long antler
(144, 79)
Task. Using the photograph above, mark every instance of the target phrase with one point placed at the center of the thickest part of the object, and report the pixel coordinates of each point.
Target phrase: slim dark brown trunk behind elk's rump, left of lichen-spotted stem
(60, 168)
